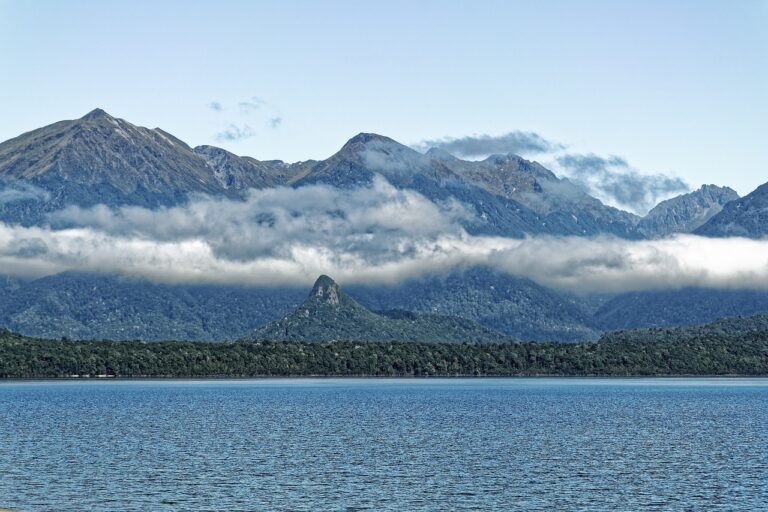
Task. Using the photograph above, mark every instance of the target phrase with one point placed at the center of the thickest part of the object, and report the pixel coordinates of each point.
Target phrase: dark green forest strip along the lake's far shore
(707, 354)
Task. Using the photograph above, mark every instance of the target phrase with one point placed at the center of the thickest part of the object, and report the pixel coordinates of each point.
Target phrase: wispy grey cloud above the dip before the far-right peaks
(614, 181)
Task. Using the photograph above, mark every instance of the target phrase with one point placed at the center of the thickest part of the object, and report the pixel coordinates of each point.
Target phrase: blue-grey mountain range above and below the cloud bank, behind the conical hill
(101, 159)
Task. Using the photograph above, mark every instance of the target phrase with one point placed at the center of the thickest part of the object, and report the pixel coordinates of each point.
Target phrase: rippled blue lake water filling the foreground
(378, 444)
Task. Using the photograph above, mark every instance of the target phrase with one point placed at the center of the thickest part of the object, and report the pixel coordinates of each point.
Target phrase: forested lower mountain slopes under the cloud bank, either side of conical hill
(87, 306)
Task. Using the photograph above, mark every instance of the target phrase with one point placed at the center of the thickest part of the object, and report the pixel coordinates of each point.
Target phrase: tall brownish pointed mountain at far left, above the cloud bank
(101, 159)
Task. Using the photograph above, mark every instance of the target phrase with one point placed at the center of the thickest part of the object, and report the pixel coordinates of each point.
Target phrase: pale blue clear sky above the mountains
(678, 87)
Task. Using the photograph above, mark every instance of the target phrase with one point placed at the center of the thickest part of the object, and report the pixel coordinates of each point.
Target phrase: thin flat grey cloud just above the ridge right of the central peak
(516, 142)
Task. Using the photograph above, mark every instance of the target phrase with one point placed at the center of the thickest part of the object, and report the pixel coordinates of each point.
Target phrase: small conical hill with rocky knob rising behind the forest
(329, 314)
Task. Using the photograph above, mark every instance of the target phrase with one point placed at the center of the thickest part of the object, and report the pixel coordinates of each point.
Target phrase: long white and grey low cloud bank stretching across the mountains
(370, 235)
